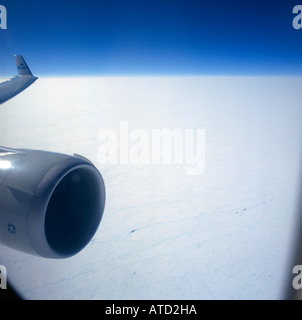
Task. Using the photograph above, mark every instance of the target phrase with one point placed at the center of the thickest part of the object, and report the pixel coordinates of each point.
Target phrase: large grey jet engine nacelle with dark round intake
(51, 204)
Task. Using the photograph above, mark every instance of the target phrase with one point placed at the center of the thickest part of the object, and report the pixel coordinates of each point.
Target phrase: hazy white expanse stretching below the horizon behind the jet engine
(226, 234)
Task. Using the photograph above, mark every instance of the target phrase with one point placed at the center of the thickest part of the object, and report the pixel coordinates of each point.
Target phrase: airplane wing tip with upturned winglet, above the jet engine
(14, 86)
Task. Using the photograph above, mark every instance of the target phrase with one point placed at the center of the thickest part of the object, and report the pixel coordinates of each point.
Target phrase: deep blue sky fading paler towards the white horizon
(122, 37)
